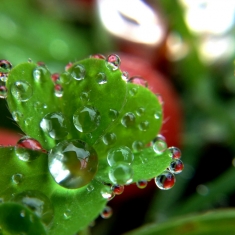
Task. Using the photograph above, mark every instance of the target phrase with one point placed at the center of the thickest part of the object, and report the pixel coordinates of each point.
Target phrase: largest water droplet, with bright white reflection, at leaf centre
(73, 164)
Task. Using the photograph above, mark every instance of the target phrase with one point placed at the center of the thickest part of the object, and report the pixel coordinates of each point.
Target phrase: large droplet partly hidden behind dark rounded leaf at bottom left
(38, 203)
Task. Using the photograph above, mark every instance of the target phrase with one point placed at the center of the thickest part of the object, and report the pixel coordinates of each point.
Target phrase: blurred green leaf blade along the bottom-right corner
(211, 223)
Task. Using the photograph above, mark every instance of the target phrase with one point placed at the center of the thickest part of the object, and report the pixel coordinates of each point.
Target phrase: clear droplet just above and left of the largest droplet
(54, 125)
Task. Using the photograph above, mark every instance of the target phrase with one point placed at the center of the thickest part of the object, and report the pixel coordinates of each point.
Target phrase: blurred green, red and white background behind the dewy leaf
(184, 48)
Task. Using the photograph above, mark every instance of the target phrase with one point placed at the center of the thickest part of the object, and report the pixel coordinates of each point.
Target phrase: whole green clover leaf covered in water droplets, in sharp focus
(89, 131)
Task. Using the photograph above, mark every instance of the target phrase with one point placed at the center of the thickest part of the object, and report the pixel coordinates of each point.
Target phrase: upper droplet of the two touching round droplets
(120, 154)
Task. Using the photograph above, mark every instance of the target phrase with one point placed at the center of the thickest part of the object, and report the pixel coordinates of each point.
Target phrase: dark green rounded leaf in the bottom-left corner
(17, 219)
